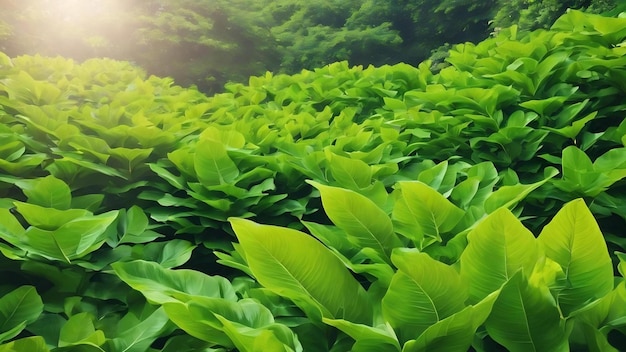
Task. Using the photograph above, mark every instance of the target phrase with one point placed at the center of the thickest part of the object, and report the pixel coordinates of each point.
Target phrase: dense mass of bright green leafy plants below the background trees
(309, 211)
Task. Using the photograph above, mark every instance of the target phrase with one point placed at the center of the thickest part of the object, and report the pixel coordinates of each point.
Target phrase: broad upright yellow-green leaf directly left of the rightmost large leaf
(499, 246)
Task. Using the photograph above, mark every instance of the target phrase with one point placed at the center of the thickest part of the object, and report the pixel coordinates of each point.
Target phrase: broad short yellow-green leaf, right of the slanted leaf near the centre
(422, 214)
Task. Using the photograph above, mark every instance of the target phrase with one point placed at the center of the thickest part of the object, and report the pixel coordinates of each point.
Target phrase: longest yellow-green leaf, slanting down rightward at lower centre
(295, 265)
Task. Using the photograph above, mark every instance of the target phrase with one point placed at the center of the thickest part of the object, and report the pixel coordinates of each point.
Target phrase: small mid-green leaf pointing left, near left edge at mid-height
(49, 192)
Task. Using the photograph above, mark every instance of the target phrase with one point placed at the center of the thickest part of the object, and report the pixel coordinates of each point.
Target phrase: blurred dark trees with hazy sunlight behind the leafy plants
(209, 42)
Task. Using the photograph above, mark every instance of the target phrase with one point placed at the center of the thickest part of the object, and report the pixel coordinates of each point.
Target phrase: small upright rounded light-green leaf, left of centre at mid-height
(213, 165)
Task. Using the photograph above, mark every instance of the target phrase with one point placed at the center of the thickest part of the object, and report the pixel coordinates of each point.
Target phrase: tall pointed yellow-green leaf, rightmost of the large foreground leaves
(574, 240)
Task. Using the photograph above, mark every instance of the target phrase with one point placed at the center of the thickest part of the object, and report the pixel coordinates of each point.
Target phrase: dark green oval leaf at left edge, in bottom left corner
(18, 308)
